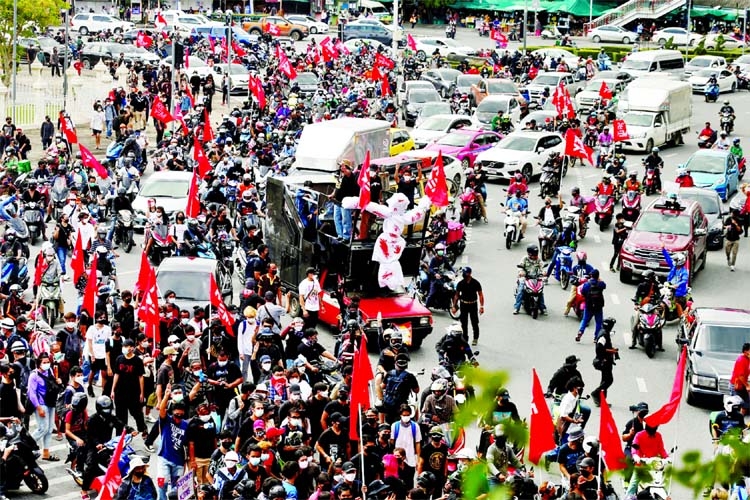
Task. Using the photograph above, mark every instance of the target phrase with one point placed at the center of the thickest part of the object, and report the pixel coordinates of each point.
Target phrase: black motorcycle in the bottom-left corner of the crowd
(21, 465)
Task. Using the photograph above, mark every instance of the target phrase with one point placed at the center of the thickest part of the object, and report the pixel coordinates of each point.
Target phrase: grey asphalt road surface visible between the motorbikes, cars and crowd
(517, 344)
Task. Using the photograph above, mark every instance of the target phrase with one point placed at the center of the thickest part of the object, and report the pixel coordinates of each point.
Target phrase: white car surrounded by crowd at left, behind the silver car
(169, 188)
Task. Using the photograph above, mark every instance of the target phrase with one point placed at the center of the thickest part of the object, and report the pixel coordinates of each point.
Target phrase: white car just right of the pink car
(524, 150)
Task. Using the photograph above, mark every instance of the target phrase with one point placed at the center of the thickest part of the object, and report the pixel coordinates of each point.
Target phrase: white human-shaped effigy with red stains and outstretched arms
(390, 245)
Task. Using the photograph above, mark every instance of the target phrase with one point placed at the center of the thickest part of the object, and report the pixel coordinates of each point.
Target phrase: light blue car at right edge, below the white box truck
(715, 169)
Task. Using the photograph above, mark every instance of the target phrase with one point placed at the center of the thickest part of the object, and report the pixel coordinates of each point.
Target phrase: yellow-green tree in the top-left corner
(32, 15)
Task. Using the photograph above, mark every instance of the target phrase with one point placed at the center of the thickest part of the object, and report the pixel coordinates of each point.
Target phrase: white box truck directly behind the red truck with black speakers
(323, 145)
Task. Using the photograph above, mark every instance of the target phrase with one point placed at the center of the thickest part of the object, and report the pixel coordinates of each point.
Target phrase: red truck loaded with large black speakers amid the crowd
(345, 268)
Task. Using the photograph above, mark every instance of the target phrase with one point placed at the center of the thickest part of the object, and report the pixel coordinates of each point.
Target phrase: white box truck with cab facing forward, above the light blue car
(657, 111)
